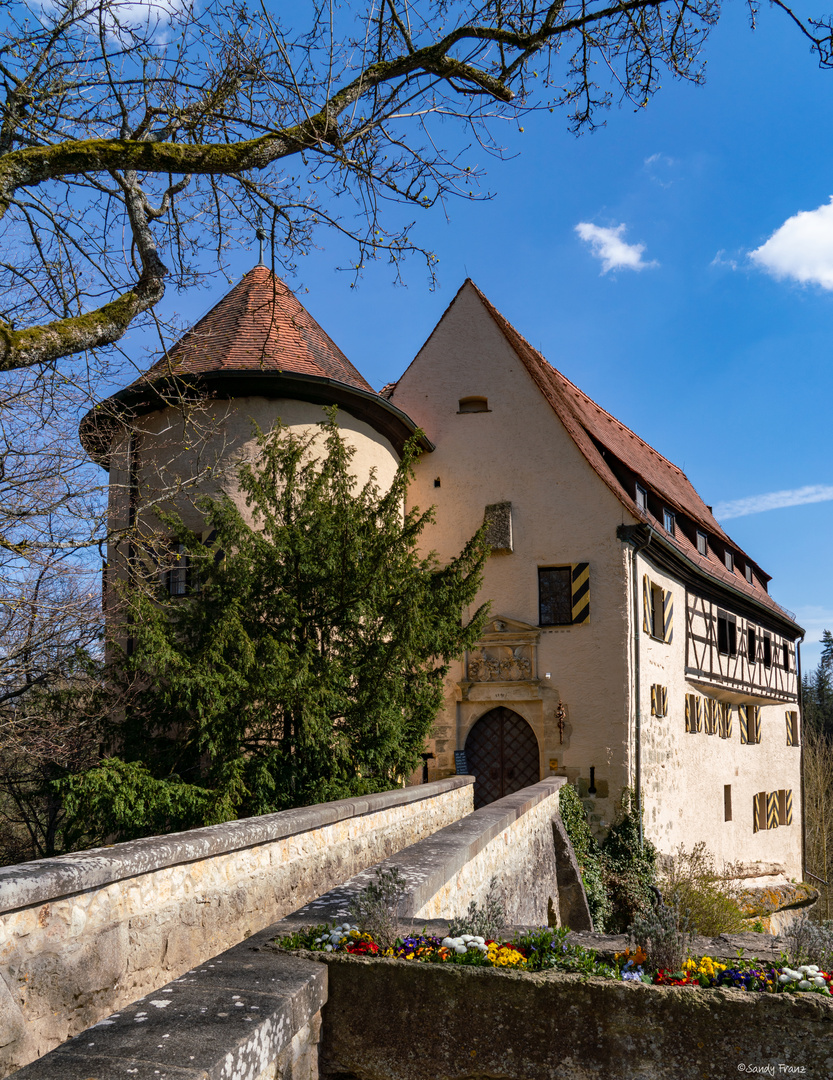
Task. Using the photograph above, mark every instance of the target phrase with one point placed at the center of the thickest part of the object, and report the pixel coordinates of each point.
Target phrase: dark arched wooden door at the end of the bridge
(502, 752)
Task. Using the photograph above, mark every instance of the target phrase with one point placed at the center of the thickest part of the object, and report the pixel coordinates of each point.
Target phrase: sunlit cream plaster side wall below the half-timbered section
(683, 775)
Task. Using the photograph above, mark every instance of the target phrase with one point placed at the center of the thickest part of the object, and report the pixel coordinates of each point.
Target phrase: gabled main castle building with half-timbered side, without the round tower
(633, 642)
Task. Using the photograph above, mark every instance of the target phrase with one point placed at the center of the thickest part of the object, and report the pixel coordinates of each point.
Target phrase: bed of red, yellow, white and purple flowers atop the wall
(547, 950)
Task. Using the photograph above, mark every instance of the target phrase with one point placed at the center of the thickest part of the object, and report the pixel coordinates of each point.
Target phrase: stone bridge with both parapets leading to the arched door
(86, 935)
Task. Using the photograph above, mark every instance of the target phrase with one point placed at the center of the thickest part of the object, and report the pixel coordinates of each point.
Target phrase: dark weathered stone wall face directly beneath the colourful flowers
(388, 1020)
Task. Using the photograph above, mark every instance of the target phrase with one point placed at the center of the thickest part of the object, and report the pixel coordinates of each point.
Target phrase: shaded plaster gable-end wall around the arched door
(562, 514)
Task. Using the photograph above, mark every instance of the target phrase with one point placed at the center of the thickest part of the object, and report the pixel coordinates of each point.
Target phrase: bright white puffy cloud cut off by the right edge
(801, 249)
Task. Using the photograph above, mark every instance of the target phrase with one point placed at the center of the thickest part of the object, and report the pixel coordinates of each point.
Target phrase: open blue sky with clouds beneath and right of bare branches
(720, 359)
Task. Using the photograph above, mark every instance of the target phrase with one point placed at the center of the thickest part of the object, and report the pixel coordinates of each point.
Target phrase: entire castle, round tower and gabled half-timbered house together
(632, 643)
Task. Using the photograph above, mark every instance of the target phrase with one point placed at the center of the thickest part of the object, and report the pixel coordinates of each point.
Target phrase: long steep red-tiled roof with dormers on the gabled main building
(609, 445)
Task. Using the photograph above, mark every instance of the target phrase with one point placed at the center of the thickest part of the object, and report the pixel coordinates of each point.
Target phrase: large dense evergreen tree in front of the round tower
(306, 661)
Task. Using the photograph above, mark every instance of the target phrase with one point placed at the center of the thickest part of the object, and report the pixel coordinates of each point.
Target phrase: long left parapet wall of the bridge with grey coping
(84, 935)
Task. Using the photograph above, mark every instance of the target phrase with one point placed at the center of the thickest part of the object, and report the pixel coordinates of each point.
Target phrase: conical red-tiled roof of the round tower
(259, 327)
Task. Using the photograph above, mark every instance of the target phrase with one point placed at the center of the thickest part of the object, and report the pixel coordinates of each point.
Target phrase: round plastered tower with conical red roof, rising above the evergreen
(181, 430)
